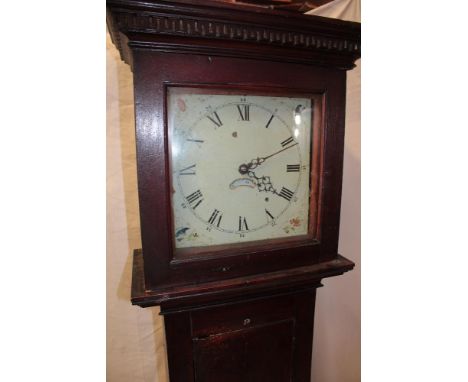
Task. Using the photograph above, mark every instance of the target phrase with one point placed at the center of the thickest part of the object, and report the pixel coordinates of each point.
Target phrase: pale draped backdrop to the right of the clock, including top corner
(336, 353)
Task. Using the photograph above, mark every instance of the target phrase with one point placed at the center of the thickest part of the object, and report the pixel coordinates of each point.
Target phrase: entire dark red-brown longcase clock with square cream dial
(239, 114)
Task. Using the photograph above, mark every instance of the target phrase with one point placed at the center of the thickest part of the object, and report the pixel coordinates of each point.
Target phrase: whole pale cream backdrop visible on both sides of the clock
(135, 336)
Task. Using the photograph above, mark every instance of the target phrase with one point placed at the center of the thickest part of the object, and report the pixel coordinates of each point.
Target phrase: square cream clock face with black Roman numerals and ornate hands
(240, 167)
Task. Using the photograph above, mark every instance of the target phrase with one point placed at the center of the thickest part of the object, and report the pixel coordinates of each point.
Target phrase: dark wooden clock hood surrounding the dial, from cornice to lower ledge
(249, 49)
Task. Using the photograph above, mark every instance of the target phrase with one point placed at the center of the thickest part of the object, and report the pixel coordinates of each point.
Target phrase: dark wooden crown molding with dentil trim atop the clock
(218, 29)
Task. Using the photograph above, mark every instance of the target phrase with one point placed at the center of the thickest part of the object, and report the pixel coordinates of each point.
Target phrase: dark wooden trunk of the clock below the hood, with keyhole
(266, 338)
